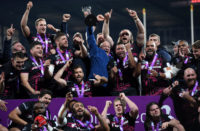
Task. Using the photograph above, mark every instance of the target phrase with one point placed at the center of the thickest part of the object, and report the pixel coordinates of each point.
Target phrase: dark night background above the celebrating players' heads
(168, 18)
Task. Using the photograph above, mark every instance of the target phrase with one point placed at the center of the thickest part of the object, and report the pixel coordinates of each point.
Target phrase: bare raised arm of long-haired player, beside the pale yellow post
(139, 25)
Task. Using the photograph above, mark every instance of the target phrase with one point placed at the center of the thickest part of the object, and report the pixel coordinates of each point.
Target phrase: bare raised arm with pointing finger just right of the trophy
(105, 28)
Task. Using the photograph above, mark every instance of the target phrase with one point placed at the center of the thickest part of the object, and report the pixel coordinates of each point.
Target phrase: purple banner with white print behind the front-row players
(99, 102)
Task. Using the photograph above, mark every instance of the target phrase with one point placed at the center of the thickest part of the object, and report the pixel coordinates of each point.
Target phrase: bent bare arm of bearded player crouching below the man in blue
(59, 74)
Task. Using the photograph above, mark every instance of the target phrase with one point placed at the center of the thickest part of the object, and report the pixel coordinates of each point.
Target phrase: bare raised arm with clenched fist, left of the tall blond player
(24, 27)
